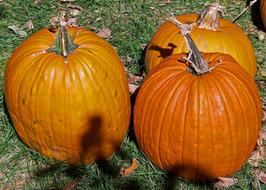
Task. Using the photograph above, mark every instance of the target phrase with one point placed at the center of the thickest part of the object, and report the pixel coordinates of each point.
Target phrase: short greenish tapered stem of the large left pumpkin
(64, 43)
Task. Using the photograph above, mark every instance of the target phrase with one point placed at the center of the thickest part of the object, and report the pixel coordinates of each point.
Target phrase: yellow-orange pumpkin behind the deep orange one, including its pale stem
(211, 34)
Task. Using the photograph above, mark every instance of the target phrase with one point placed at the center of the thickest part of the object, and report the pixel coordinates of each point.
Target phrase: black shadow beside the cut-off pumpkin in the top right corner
(255, 15)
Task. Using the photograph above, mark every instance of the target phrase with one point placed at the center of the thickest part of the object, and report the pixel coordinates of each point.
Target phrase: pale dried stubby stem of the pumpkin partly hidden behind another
(209, 17)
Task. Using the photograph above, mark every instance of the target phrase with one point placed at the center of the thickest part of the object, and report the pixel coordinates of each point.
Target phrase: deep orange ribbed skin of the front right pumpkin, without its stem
(198, 127)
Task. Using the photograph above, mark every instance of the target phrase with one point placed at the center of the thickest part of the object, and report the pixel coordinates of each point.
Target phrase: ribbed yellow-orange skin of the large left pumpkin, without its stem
(75, 109)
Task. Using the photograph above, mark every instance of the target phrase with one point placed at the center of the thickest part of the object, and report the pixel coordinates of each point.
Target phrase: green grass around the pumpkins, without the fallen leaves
(132, 23)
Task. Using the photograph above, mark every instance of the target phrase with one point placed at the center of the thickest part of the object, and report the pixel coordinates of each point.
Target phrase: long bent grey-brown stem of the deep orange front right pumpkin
(196, 62)
